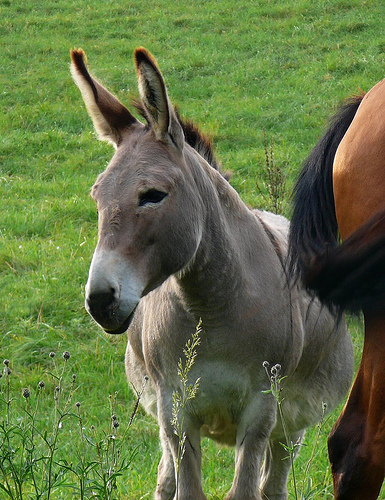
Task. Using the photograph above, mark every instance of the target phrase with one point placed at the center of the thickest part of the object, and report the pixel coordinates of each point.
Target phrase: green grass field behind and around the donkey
(237, 69)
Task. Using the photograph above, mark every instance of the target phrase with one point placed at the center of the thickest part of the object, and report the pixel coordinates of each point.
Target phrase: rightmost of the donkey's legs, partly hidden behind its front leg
(276, 468)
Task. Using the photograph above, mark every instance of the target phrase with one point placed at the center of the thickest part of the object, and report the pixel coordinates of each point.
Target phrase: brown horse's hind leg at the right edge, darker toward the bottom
(357, 441)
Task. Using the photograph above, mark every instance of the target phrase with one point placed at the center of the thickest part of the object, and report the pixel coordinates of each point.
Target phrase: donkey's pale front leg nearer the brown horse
(252, 438)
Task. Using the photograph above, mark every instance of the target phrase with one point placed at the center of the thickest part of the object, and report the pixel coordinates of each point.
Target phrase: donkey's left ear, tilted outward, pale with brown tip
(109, 116)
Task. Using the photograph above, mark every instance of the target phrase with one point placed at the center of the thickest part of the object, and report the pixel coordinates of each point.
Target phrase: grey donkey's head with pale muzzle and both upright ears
(150, 217)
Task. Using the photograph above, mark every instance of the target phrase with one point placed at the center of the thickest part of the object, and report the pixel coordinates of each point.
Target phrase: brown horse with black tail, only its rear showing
(342, 189)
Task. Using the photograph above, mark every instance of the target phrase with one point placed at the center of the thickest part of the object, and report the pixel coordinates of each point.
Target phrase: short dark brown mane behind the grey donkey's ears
(194, 137)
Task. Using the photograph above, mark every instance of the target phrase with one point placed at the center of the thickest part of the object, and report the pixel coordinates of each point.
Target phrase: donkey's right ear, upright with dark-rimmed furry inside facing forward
(152, 89)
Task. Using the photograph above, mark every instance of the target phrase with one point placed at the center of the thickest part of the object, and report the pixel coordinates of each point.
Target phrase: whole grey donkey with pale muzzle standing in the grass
(177, 244)
